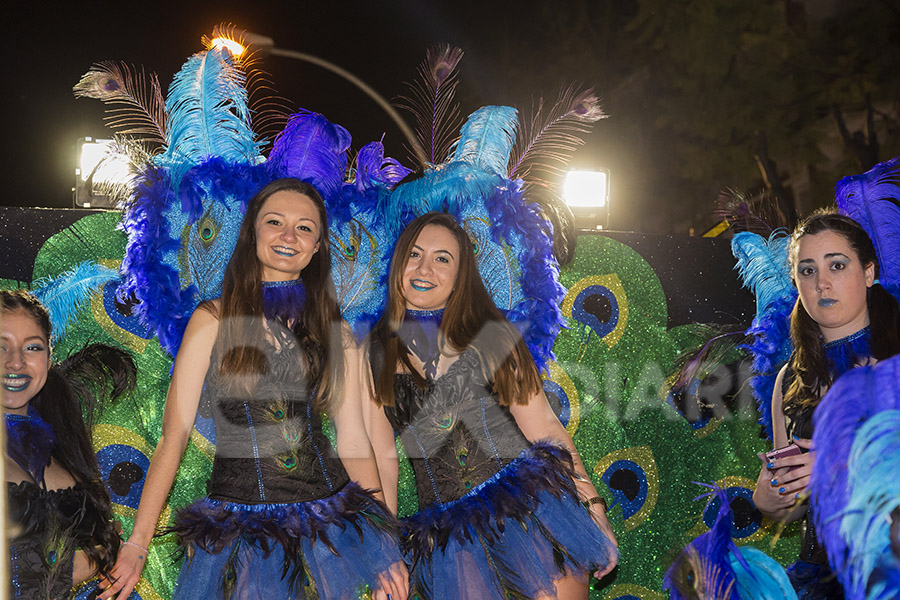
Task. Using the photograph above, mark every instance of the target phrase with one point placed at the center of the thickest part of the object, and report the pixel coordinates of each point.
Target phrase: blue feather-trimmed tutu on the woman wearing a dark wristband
(514, 535)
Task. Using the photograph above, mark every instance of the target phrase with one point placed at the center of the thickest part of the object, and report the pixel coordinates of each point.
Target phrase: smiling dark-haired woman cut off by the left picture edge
(59, 524)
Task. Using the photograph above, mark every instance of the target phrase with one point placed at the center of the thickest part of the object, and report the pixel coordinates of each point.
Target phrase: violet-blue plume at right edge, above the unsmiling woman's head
(873, 200)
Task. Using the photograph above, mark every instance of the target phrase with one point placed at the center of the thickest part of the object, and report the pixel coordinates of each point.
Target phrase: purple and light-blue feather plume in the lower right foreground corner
(858, 398)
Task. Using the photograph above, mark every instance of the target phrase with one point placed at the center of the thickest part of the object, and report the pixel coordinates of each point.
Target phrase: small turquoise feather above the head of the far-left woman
(66, 295)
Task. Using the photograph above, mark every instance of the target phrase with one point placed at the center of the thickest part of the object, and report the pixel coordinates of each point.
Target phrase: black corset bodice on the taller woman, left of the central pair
(270, 447)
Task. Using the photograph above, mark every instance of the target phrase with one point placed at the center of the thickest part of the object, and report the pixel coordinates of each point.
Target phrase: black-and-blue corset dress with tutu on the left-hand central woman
(282, 518)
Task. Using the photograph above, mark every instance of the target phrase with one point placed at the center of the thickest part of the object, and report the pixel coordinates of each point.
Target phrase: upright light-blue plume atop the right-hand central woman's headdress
(486, 139)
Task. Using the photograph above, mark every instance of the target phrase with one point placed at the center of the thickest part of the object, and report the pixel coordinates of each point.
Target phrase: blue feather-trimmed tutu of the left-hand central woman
(333, 548)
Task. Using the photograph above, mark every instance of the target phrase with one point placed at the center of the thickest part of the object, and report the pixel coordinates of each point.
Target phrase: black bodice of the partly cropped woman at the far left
(45, 528)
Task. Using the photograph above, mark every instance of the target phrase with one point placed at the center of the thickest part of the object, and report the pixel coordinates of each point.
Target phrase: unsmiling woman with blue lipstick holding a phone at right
(843, 319)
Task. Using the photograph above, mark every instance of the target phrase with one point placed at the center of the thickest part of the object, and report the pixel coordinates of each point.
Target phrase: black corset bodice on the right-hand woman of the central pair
(453, 429)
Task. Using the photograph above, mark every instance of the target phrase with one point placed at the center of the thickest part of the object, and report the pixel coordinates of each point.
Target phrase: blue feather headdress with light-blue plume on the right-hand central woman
(511, 238)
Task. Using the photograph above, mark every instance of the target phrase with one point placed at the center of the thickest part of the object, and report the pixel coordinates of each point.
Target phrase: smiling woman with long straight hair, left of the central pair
(284, 517)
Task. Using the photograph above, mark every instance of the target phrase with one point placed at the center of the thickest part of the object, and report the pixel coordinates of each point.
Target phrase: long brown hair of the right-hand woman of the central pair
(469, 311)
